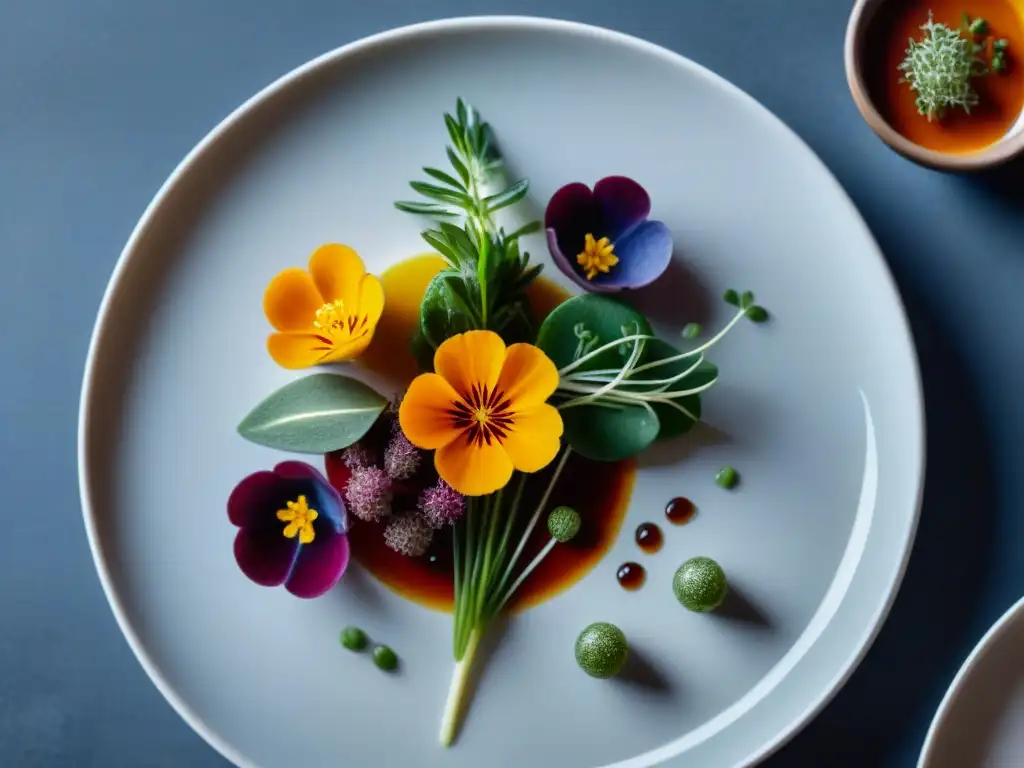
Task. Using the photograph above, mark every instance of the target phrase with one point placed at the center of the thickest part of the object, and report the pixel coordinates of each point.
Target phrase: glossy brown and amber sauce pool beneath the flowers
(601, 492)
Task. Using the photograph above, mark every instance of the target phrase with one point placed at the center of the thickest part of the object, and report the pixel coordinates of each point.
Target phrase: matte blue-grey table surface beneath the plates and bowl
(101, 100)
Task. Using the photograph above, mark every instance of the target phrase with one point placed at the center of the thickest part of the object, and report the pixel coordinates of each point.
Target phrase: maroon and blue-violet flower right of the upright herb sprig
(604, 239)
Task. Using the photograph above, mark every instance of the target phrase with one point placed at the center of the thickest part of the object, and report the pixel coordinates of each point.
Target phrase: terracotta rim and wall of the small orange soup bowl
(1002, 152)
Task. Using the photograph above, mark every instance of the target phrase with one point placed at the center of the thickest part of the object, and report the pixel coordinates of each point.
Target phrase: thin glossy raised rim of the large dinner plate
(467, 24)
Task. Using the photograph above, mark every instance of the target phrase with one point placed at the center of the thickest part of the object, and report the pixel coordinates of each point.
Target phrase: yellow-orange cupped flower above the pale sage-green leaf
(326, 315)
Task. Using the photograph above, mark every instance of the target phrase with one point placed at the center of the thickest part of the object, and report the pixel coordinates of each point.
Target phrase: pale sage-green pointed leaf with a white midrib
(314, 415)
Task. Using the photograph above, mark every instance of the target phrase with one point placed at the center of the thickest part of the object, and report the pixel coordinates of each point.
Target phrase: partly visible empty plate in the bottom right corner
(980, 722)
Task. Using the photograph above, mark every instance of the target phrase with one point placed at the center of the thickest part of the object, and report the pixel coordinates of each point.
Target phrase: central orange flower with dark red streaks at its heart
(485, 412)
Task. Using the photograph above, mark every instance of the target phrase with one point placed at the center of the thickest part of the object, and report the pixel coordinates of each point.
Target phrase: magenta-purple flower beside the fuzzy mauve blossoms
(293, 528)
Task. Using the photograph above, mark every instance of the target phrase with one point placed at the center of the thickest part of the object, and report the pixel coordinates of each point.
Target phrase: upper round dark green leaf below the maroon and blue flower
(599, 315)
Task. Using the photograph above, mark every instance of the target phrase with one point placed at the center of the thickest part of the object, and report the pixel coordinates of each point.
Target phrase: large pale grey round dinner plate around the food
(821, 411)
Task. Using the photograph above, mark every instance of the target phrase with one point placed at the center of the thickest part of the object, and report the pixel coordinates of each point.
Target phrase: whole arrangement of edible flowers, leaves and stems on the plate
(501, 403)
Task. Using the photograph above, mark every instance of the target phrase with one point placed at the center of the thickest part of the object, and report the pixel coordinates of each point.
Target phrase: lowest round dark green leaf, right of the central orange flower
(607, 435)
